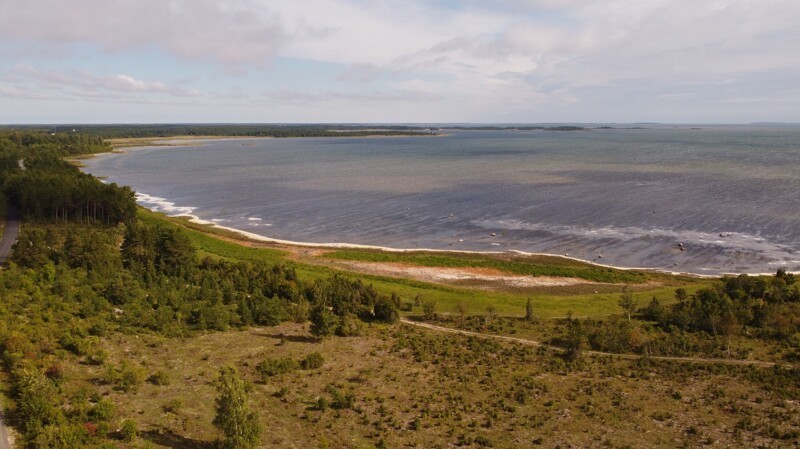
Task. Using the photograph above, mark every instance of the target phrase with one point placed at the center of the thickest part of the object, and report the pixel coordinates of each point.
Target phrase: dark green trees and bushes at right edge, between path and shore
(706, 322)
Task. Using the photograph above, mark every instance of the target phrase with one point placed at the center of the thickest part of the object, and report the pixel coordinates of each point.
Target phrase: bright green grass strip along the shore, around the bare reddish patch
(550, 302)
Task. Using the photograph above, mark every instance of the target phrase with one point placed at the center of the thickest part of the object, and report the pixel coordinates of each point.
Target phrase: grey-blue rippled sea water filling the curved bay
(719, 199)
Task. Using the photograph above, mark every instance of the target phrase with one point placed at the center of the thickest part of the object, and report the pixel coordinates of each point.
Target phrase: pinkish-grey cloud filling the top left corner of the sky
(231, 32)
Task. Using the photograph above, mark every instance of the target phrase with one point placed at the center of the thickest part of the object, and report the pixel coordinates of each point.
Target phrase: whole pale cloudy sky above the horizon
(399, 61)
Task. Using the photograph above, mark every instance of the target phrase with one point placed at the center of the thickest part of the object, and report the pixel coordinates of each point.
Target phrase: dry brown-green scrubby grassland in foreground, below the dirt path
(416, 388)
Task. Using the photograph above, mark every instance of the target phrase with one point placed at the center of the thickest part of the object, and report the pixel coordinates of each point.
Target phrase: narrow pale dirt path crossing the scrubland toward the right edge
(539, 344)
